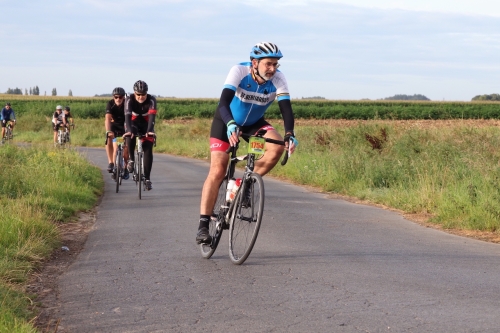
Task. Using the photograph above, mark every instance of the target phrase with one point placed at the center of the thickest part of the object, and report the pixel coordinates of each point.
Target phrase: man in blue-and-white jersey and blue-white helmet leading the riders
(249, 90)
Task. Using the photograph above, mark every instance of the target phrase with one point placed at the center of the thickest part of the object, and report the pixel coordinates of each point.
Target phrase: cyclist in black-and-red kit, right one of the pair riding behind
(140, 113)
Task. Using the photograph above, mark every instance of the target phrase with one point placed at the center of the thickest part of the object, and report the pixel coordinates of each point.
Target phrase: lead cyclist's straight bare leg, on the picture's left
(217, 171)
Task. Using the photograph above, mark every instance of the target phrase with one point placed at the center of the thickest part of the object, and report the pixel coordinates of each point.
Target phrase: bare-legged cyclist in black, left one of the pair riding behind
(114, 123)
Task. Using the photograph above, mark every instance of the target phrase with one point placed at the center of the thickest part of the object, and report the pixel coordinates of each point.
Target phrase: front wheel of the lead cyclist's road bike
(245, 221)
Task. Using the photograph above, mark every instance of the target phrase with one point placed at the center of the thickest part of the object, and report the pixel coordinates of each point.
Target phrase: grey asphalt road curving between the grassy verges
(319, 265)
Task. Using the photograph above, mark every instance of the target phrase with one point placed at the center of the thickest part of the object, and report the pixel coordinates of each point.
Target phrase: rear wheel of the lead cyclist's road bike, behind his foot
(215, 226)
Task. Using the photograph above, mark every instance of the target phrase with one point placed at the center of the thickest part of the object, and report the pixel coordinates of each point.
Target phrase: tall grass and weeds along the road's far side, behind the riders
(447, 170)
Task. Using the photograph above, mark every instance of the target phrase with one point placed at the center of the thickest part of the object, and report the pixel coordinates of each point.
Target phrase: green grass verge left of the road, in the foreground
(39, 186)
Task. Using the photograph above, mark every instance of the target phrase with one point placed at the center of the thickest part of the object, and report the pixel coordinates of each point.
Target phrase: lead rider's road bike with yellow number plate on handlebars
(241, 215)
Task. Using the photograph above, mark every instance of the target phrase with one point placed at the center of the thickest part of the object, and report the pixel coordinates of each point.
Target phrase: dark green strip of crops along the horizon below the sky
(94, 107)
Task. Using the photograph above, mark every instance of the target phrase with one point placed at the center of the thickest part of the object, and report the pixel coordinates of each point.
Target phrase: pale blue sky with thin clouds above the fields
(445, 50)
